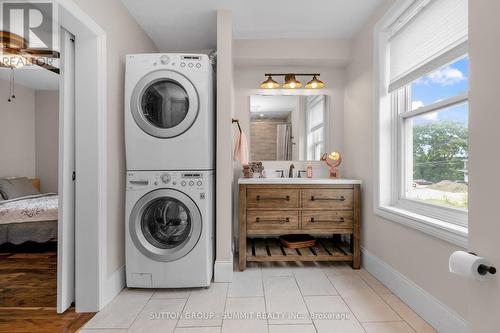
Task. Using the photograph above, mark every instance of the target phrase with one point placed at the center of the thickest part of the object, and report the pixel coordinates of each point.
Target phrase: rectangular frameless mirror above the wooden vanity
(288, 128)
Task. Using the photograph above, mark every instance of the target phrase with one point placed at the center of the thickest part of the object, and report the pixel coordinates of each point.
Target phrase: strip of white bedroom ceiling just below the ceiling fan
(32, 77)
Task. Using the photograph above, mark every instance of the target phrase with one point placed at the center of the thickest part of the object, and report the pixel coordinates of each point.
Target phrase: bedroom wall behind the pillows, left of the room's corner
(17, 132)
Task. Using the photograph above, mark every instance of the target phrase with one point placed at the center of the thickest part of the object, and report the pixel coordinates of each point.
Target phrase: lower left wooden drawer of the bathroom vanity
(272, 220)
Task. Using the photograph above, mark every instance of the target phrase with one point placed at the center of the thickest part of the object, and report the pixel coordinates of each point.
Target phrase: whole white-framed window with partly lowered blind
(422, 135)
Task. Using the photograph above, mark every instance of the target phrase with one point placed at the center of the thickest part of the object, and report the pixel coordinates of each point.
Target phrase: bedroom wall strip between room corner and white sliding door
(47, 139)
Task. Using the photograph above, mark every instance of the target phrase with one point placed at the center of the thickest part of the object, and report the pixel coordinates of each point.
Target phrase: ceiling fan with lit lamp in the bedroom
(14, 53)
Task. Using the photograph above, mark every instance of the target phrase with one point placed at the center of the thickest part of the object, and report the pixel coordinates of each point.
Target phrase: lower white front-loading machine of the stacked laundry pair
(169, 237)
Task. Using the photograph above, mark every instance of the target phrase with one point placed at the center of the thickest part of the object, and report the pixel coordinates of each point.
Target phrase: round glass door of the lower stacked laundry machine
(165, 225)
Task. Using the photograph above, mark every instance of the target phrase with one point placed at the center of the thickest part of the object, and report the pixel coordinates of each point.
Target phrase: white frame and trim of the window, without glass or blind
(389, 167)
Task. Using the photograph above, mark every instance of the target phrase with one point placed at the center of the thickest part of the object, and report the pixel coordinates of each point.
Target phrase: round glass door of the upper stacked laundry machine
(164, 104)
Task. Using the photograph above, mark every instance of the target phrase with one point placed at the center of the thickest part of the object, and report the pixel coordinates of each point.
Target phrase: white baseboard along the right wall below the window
(441, 317)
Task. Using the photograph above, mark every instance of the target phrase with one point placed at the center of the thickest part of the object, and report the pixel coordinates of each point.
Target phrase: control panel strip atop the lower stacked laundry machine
(164, 179)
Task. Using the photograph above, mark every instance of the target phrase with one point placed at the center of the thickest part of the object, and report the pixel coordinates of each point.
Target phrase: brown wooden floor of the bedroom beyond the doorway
(28, 293)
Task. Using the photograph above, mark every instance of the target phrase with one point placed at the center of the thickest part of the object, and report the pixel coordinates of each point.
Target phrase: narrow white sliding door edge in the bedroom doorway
(66, 232)
